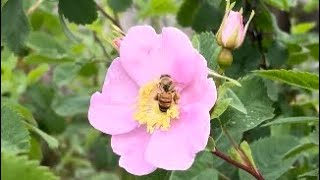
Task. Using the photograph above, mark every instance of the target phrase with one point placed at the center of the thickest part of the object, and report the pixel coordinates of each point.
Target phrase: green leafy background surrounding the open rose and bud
(55, 53)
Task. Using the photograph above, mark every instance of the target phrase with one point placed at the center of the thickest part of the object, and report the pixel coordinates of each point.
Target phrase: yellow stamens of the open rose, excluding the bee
(148, 112)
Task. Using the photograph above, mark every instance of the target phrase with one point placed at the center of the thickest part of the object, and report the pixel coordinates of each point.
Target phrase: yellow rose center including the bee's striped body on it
(152, 114)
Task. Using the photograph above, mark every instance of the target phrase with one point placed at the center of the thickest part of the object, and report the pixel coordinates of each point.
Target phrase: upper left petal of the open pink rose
(137, 53)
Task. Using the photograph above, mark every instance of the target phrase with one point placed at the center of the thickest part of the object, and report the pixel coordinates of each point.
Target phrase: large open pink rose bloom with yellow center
(145, 137)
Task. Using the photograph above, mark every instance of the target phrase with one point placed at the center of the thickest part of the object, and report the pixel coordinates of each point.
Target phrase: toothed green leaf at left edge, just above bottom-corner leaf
(14, 136)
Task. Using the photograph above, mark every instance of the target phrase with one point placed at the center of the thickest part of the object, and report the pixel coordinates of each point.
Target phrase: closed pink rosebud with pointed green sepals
(232, 31)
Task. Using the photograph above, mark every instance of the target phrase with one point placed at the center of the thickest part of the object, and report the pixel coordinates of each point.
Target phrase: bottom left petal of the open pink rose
(131, 147)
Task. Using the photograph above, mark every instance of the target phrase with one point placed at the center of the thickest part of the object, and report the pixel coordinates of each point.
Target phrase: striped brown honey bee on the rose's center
(166, 93)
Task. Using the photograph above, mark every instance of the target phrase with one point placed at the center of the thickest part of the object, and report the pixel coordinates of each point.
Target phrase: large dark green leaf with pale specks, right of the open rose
(254, 97)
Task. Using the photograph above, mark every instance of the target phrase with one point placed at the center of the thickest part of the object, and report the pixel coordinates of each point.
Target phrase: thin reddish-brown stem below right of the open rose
(237, 164)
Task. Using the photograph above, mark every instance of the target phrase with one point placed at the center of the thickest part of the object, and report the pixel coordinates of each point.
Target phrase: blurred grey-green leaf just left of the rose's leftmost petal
(71, 105)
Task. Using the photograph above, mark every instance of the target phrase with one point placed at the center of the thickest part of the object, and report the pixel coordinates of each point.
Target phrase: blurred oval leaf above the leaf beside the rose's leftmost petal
(63, 74)
